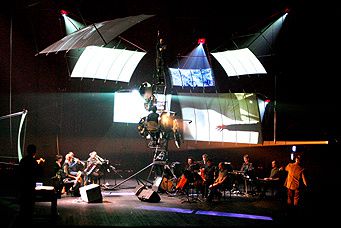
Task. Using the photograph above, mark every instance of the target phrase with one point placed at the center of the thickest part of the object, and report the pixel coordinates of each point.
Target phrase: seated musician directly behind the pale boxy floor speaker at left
(92, 171)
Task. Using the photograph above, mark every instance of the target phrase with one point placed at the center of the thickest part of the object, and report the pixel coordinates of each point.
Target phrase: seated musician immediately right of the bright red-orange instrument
(208, 174)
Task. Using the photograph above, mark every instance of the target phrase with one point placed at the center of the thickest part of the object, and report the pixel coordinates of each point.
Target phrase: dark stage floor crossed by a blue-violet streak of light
(121, 207)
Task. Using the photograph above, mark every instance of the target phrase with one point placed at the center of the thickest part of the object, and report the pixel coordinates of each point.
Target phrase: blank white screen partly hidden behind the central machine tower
(129, 106)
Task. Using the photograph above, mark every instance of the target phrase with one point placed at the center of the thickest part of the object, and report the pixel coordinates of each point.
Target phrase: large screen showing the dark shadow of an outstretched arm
(223, 117)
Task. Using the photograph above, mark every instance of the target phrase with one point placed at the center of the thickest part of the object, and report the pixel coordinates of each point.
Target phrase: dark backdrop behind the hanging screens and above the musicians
(301, 77)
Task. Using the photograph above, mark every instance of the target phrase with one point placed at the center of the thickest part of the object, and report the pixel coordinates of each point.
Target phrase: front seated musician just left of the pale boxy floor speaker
(73, 169)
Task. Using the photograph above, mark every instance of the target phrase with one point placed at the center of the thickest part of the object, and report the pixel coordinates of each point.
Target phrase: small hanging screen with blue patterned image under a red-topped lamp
(192, 77)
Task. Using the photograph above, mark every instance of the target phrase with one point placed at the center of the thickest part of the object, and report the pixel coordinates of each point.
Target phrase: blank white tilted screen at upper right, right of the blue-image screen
(239, 62)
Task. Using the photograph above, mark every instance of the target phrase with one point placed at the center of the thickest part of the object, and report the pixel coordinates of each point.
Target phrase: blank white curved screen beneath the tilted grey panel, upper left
(107, 64)
